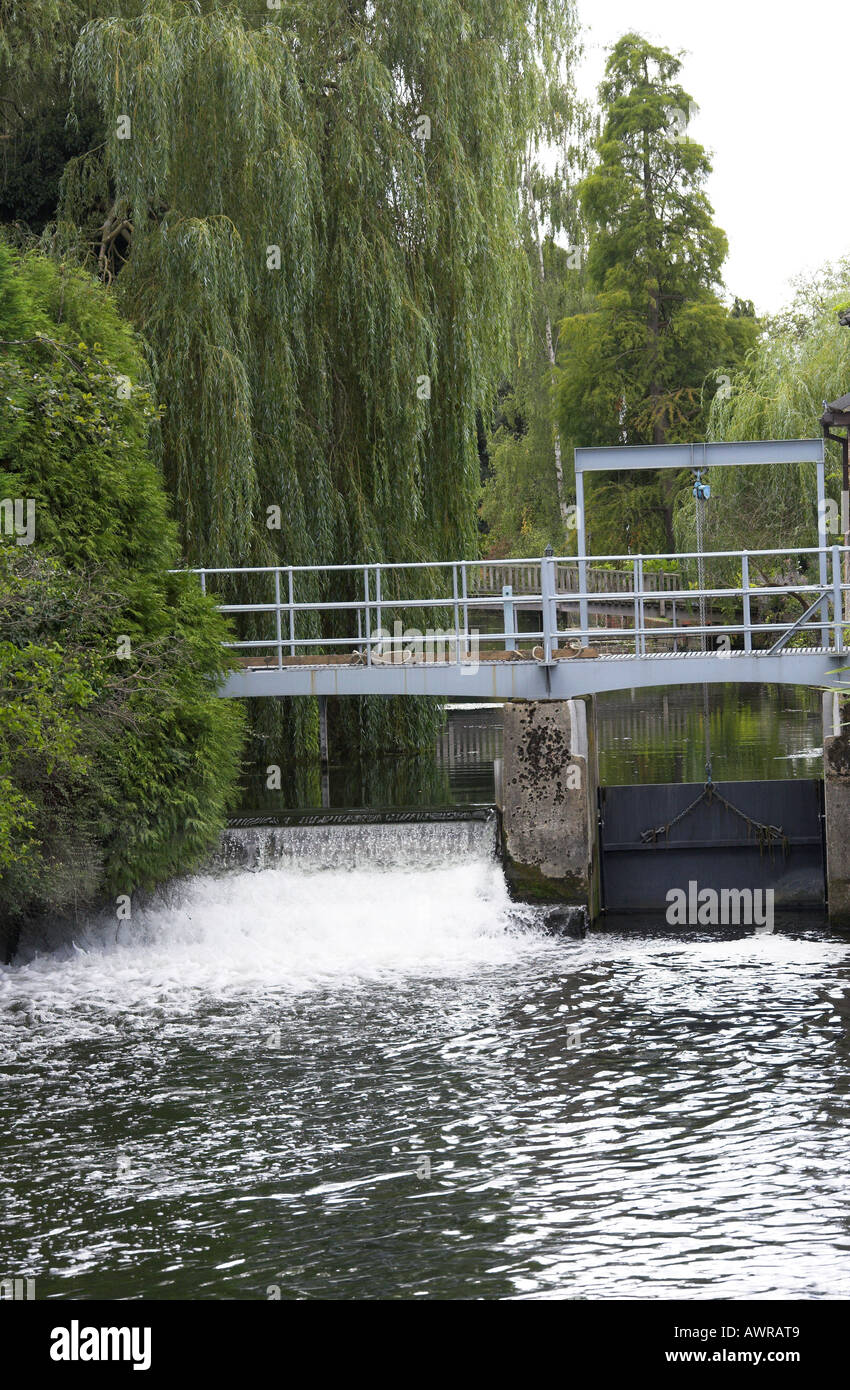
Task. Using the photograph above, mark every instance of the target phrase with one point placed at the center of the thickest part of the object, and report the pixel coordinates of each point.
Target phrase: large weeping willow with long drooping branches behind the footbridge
(310, 212)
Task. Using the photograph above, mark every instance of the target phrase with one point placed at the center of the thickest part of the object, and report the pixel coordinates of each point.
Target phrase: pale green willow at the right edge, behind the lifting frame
(801, 361)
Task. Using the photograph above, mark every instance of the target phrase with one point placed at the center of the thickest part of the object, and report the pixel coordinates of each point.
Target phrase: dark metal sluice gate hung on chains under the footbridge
(712, 844)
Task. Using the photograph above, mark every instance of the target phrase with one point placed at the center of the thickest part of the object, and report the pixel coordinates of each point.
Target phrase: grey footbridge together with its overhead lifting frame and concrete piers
(545, 635)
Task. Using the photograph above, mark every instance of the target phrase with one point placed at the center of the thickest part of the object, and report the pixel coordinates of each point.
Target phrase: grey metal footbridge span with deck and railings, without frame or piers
(762, 616)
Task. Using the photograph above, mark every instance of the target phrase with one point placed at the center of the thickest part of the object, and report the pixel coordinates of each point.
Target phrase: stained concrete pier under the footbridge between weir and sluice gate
(549, 803)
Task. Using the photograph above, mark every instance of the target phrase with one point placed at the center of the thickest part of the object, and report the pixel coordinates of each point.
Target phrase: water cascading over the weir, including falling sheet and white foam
(302, 906)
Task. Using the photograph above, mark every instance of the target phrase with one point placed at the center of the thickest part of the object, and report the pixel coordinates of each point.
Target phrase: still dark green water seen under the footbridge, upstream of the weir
(653, 736)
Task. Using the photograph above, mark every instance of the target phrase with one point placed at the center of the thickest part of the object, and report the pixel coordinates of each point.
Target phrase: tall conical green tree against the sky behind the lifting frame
(642, 363)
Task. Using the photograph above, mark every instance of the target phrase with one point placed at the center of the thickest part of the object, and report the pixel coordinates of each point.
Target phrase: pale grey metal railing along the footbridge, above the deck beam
(373, 626)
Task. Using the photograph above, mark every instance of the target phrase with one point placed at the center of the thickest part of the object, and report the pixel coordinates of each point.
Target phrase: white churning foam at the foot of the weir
(281, 928)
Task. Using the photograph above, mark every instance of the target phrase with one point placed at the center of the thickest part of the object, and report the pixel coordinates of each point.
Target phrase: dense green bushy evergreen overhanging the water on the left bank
(117, 760)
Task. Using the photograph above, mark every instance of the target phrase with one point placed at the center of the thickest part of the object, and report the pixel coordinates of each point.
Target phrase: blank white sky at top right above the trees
(770, 79)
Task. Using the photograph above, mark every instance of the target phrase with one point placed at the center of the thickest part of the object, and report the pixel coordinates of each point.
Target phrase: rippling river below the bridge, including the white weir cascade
(356, 1075)
